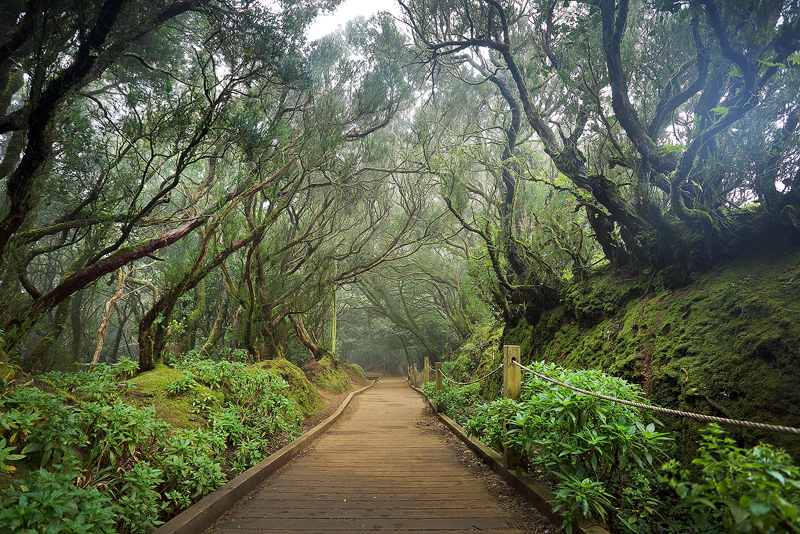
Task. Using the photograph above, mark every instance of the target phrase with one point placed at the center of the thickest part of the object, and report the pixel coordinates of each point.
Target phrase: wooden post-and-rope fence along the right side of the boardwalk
(512, 389)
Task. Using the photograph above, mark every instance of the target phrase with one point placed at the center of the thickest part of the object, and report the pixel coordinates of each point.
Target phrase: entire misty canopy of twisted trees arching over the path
(462, 161)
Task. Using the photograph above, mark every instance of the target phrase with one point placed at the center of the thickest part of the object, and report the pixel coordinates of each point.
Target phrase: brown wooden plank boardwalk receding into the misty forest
(374, 470)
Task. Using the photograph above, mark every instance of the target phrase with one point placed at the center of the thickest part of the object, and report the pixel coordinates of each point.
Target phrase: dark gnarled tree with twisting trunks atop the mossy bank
(654, 138)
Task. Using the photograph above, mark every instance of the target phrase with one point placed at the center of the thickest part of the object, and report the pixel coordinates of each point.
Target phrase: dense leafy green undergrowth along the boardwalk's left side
(96, 464)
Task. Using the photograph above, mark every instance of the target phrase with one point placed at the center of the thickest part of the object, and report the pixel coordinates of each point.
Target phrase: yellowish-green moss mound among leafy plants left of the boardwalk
(151, 390)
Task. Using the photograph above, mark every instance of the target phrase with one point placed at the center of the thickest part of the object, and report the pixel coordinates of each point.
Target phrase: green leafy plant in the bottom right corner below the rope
(750, 490)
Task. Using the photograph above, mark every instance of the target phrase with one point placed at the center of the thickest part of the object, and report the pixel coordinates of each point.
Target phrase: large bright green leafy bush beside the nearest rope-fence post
(591, 450)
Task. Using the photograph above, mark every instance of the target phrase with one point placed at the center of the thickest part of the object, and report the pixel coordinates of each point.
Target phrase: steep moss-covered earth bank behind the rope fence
(726, 345)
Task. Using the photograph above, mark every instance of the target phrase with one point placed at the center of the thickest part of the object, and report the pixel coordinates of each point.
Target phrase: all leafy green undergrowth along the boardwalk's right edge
(609, 462)
